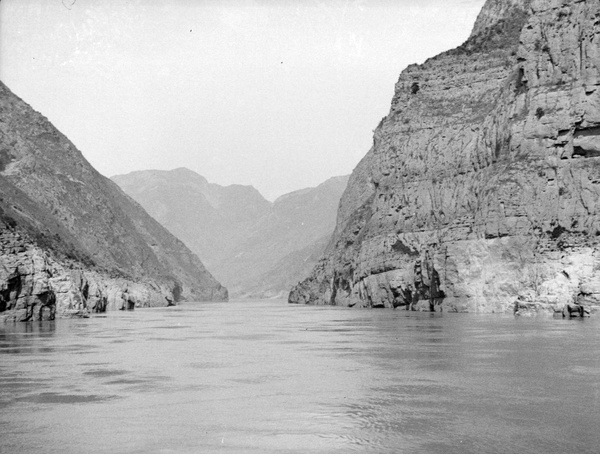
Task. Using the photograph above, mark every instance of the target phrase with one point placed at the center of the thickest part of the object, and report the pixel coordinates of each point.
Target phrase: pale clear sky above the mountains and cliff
(277, 94)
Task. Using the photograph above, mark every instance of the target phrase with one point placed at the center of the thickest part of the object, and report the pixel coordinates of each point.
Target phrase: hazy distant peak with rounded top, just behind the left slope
(209, 218)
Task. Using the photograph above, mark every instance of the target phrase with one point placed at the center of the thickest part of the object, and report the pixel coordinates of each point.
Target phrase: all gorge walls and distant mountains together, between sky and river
(479, 194)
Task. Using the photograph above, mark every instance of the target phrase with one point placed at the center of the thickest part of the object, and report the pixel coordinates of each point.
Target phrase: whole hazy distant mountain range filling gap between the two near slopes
(241, 237)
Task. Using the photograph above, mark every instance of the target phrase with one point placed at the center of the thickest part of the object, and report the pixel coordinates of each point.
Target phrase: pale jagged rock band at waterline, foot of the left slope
(34, 286)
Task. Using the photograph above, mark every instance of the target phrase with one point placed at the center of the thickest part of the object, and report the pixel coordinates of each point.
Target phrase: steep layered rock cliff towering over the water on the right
(482, 183)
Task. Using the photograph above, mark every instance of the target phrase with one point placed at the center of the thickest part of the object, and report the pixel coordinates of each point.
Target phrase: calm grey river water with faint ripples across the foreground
(268, 377)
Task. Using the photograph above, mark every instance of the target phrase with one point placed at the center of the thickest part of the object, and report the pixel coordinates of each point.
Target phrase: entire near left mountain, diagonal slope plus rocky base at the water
(70, 239)
